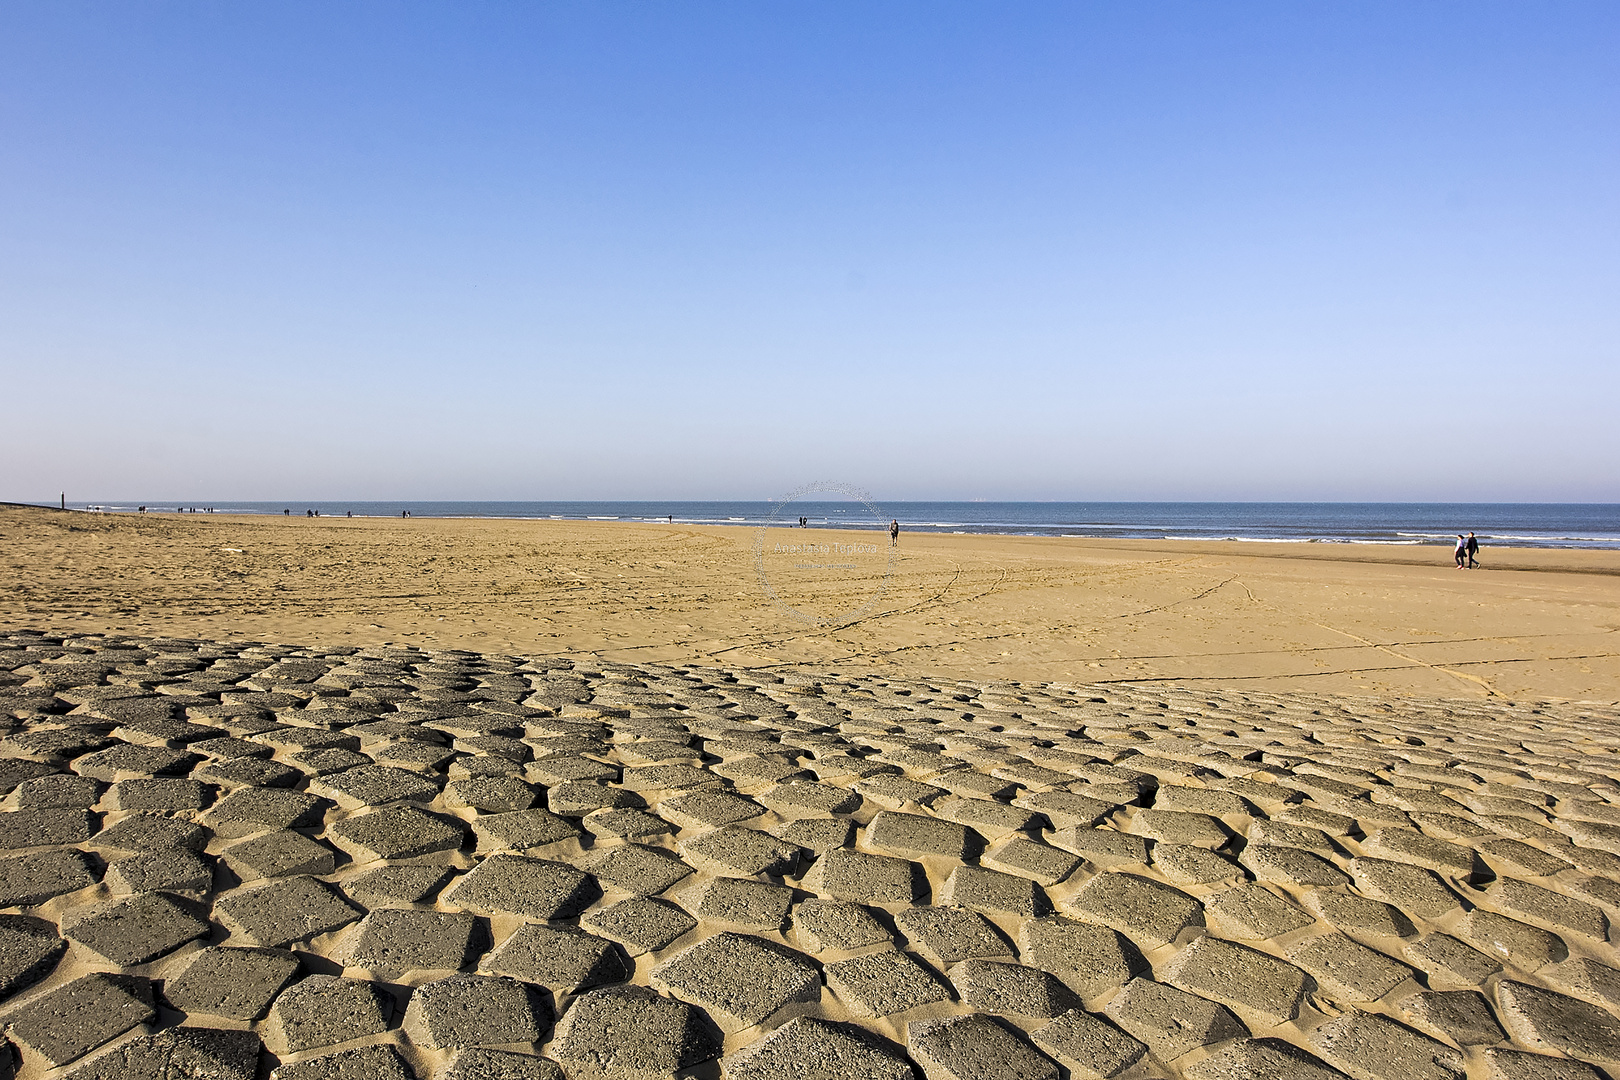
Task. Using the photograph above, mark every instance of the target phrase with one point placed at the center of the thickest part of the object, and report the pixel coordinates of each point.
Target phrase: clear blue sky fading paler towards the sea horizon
(625, 250)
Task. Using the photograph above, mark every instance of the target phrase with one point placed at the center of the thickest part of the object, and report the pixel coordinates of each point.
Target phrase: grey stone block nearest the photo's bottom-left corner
(75, 1019)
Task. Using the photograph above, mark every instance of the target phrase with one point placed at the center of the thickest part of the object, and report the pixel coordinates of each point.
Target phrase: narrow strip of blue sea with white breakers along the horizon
(1517, 525)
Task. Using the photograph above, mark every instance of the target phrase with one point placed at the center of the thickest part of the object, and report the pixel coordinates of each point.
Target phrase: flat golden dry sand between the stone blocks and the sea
(1326, 619)
